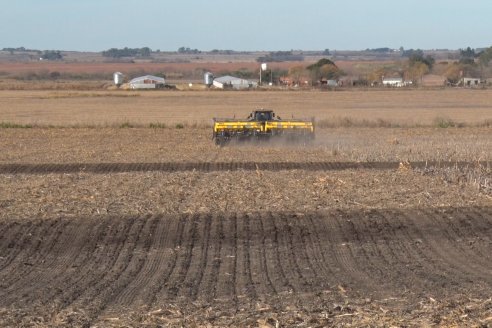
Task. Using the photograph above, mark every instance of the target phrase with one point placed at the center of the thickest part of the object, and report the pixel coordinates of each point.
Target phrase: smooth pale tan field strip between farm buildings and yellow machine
(110, 108)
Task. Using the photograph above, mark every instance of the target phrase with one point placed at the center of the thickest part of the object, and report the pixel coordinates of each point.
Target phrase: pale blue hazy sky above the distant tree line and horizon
(96, 25)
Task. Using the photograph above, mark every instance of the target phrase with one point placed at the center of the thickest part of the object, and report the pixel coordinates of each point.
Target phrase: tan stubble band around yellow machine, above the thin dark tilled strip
(166, 143)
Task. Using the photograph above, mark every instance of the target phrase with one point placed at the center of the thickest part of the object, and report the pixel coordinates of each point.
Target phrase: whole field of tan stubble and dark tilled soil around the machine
(384, 220)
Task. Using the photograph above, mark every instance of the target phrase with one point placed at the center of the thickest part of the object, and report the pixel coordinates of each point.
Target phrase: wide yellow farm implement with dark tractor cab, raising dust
(262, 124)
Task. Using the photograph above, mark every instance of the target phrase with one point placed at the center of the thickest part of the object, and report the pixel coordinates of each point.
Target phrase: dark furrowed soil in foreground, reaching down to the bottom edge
(242, 268)
